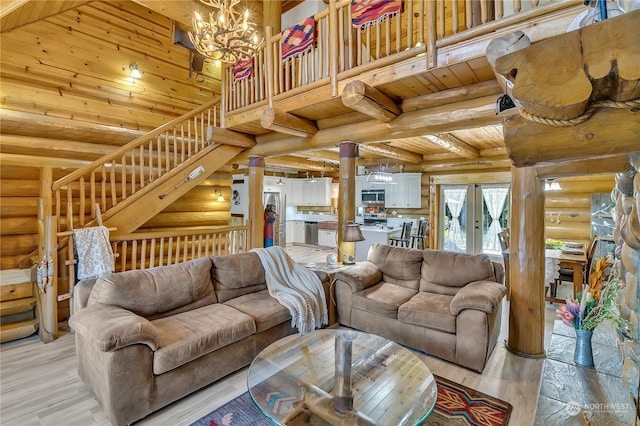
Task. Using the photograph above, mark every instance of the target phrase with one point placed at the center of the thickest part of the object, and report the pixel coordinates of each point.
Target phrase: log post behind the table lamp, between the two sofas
(346, 195)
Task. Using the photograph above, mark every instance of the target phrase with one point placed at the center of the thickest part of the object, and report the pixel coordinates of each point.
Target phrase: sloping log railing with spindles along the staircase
(117, 177)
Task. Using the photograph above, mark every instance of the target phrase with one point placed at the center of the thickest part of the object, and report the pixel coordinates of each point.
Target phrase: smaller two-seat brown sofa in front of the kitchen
(443, 303)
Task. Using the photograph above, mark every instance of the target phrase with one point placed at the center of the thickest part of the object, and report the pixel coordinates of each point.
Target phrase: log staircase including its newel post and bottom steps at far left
(123, 190)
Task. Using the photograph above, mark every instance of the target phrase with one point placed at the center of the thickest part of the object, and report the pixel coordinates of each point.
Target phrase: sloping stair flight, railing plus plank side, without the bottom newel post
(140, 179)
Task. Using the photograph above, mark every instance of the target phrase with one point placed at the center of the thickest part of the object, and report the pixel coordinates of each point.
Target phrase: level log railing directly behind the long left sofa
(144, 250)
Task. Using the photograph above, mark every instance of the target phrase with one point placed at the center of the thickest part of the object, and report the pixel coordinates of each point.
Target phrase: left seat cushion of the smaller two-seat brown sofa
(383, 299)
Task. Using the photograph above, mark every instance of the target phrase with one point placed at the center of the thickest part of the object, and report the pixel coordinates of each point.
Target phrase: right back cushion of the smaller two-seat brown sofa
(444, 272)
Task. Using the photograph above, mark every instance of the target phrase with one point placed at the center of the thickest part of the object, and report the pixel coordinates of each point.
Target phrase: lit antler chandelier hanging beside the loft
(227, 35)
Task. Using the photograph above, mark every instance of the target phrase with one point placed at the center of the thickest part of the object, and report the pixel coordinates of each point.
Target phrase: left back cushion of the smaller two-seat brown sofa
(398, 265)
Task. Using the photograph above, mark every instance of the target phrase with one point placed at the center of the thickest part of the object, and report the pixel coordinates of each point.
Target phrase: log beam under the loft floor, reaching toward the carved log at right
(449, 96)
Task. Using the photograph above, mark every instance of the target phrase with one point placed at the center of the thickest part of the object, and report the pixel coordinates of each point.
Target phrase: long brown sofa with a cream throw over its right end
(146, 338)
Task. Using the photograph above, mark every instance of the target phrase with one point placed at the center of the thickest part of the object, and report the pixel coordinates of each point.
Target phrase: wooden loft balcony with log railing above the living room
(427, 47)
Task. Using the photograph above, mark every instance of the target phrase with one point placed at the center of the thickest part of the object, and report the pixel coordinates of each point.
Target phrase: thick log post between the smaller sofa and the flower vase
(526, 263)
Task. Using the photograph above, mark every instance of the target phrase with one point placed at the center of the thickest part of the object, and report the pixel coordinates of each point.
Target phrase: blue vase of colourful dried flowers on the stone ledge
(595, 304)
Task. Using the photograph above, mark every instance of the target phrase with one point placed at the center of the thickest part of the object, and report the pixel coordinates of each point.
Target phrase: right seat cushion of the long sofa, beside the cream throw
(266, 311)
